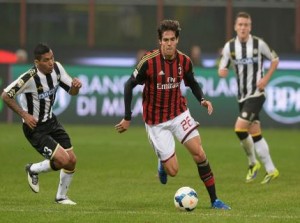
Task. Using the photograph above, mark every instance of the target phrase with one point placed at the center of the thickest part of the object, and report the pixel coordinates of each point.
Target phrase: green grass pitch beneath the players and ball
(116, 180)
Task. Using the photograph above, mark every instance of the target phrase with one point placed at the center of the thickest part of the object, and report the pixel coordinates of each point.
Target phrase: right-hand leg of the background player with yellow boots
(262, 150)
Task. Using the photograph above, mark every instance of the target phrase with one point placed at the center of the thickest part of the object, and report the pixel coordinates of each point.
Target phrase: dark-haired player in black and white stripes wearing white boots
(37, 89)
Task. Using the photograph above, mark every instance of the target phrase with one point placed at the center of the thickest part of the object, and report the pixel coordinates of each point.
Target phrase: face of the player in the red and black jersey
(168, 44)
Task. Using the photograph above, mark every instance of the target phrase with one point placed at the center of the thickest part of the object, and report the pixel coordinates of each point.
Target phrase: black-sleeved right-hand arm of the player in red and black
(197, 91)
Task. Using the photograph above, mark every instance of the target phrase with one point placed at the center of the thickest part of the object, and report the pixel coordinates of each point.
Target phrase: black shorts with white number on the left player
(46, 137)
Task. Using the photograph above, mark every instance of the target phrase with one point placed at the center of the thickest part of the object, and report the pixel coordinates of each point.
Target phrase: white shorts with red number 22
(161, 136)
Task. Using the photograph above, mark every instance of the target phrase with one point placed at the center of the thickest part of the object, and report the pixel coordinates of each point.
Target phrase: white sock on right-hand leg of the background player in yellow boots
(262, 150)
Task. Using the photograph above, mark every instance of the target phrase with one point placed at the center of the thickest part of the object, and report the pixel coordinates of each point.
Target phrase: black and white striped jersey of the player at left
(37, 91)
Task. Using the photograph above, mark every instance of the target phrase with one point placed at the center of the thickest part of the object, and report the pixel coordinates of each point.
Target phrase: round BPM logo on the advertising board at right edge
(283, 99)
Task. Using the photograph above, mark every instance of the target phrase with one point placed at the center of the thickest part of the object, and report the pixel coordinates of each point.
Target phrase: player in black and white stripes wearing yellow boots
(246, 53)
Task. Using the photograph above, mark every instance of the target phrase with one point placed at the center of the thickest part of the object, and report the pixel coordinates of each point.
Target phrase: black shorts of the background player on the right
(250, 108)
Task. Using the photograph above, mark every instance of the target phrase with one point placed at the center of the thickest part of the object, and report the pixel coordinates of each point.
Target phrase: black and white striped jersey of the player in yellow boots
(247, 60)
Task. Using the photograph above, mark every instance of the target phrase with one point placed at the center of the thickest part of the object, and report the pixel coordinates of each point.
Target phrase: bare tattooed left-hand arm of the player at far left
(13, 105)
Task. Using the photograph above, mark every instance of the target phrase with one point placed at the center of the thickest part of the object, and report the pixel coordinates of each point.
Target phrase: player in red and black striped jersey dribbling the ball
(165, 110)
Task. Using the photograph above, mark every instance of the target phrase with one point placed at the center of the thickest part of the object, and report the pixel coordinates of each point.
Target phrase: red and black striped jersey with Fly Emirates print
(162, 97)
